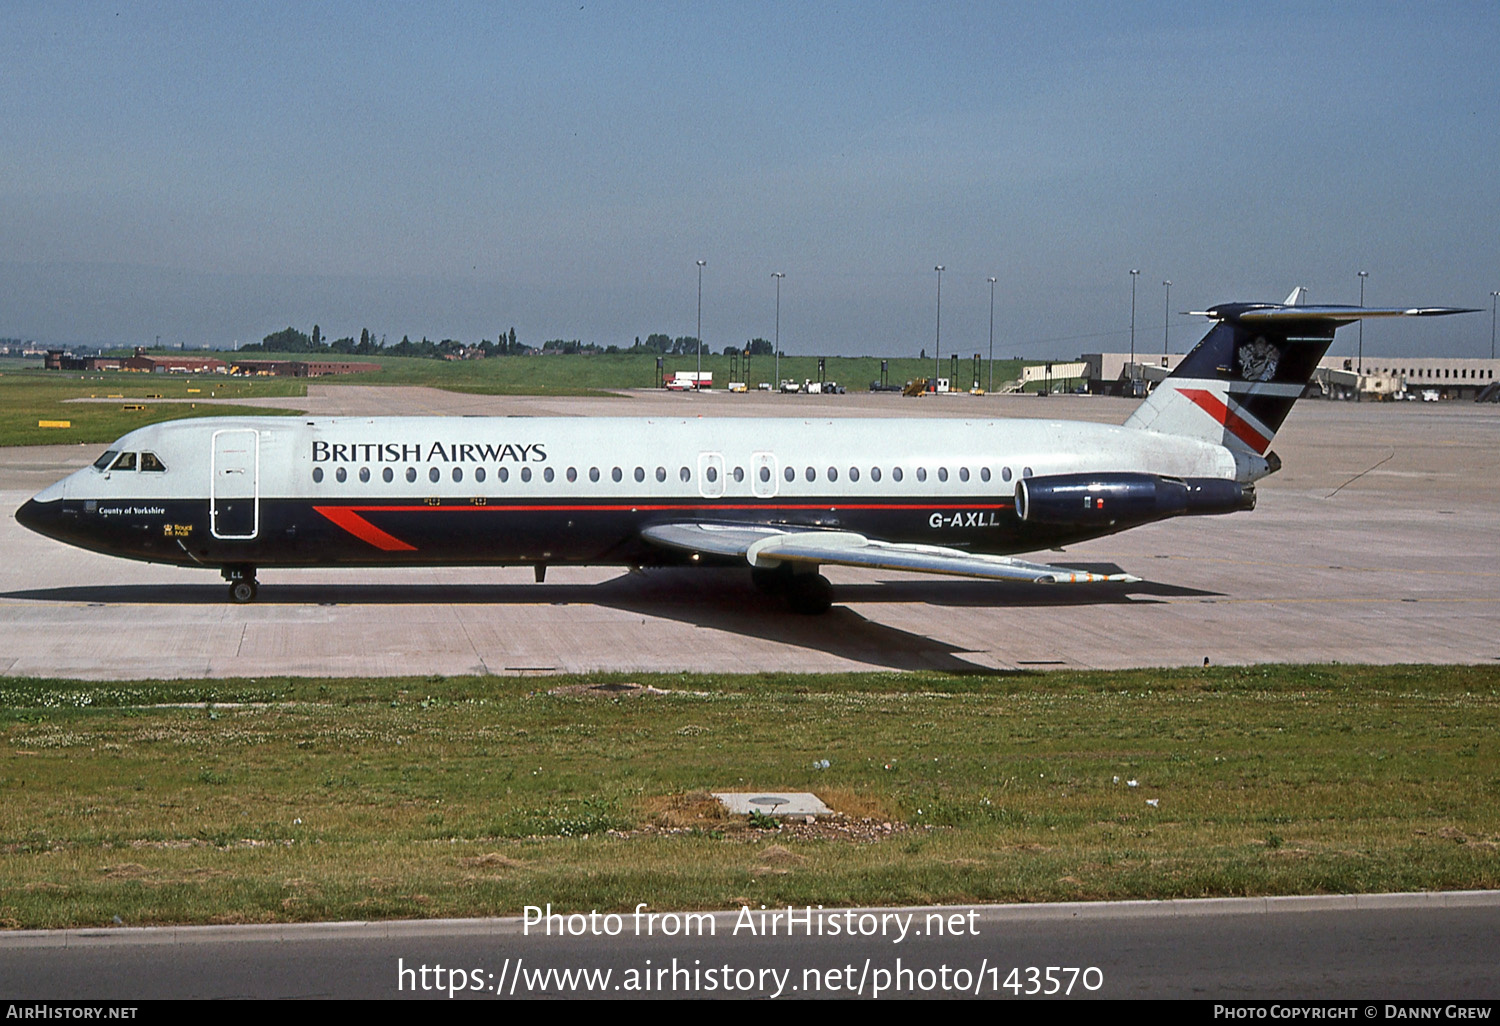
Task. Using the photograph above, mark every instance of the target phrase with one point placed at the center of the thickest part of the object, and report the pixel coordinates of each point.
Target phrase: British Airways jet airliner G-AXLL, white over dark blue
(778, 496)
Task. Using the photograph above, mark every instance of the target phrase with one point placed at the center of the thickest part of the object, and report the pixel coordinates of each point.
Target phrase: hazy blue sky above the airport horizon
(212, 173)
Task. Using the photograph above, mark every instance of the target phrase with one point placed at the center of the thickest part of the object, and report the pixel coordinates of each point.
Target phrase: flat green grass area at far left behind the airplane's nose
(31, 395)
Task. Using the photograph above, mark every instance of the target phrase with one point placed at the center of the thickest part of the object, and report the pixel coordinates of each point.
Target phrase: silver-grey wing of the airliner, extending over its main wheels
(769, 547)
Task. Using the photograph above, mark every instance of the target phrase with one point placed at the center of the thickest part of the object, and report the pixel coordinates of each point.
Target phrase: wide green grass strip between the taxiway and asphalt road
(292, 800)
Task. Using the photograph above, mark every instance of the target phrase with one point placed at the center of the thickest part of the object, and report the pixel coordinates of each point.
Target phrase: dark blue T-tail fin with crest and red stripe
(1240, 383)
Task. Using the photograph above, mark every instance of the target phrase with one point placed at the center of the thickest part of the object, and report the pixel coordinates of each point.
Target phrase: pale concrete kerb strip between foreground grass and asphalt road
(989, 914)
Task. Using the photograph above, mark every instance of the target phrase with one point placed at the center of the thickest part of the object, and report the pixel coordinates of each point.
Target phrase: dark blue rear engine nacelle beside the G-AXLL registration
(1082, 500)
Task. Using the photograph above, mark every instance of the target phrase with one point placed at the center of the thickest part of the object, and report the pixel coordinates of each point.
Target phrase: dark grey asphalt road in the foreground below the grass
(1375, 949)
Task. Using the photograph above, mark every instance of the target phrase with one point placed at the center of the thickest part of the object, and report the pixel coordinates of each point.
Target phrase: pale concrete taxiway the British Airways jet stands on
(1376, 544)
